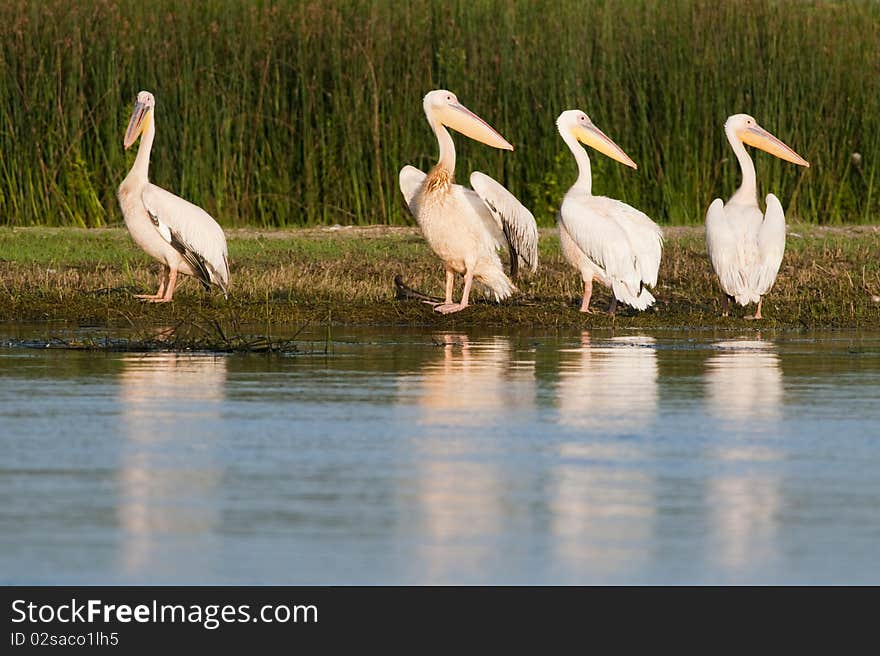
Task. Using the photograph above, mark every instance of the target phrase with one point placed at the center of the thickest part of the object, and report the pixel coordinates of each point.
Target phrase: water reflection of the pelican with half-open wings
(461, 405)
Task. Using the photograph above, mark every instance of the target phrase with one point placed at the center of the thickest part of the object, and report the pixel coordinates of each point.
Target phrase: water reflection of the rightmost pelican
(744, 390)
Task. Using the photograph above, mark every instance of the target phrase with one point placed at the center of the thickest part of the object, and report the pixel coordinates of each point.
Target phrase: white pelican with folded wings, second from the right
(603, 238)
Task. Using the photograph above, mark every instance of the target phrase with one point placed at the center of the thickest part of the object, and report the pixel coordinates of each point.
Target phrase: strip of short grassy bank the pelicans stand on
(830, 278)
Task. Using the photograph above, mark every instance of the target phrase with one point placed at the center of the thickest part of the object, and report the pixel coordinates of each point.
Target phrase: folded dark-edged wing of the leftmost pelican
(192, 232)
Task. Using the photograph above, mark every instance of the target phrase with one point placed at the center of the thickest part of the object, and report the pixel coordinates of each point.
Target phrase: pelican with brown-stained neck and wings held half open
(464, 227)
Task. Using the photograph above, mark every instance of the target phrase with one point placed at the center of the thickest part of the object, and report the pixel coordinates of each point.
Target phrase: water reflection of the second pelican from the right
(603, 503)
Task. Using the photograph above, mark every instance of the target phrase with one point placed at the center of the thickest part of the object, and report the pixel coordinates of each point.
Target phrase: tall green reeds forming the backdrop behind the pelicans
(288, 113)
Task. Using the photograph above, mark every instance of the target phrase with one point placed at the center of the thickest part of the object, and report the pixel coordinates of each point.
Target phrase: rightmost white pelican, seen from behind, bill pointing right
(746, 246)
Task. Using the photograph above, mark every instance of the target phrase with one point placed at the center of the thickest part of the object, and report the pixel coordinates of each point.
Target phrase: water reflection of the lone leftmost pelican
(167, 475)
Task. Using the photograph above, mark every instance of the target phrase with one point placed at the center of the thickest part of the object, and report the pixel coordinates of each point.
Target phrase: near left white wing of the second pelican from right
(588, 221)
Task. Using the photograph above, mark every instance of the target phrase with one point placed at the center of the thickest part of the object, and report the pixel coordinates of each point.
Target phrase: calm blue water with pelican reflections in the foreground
(431, 458)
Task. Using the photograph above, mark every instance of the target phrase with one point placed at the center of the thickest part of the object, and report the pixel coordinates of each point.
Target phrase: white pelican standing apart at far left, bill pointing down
(182, 236)
